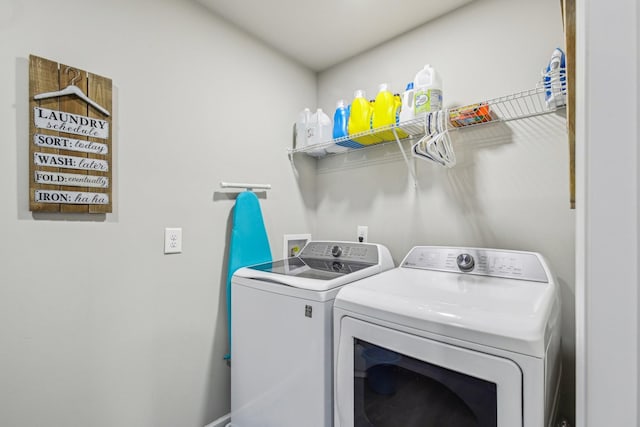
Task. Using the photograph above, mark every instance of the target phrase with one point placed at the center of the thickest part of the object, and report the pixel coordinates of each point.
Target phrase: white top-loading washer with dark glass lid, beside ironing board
(281, 333)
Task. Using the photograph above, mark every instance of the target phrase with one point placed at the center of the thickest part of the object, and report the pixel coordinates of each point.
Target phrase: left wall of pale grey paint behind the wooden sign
(97, 326)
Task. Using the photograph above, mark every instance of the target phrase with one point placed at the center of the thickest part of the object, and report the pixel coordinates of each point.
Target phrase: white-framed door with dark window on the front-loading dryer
(389, 378)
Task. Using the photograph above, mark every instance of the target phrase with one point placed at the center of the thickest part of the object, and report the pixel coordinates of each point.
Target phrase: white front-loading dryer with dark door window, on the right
(452, 337)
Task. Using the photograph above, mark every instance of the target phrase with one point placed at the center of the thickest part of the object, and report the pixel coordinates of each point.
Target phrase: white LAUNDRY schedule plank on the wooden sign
(70, 123)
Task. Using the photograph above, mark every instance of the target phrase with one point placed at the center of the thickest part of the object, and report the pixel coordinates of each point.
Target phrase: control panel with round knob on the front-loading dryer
(483, 262)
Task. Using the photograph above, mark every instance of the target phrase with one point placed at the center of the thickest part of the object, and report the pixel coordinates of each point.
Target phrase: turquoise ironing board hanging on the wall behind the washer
(248, 244)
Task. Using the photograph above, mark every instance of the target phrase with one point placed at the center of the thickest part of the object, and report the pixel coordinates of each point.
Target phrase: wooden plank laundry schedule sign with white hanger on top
(69, 138)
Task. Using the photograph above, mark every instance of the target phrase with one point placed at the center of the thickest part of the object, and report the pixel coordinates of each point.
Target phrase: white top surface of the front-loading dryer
(512, 314)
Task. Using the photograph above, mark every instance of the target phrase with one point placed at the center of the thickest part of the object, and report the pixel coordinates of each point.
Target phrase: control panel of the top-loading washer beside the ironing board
(345, 251)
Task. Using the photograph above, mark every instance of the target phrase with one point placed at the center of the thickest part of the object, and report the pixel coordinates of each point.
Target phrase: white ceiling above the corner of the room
(322, 33)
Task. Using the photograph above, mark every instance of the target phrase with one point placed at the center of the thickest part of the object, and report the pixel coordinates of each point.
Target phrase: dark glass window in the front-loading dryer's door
(391, 389)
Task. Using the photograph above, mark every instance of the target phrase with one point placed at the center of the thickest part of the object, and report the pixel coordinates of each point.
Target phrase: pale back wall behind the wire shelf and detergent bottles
(510, 188)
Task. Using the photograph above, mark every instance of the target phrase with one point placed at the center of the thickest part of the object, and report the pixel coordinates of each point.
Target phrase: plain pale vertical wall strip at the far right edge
(607, 279)
